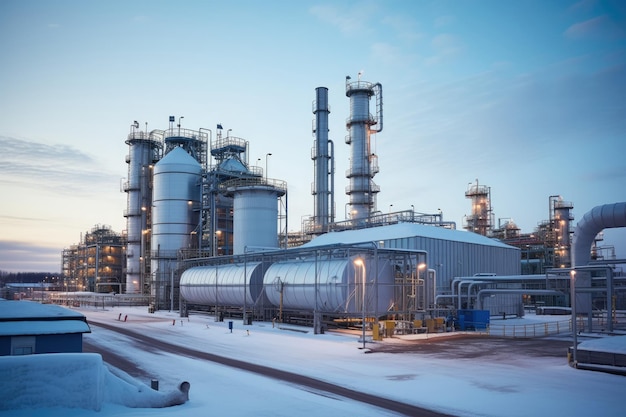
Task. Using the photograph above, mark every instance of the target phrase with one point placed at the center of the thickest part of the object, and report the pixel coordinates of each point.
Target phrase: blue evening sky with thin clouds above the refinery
(526, 97)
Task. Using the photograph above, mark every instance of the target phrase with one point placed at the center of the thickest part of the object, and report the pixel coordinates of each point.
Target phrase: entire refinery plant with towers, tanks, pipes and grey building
(206, 230)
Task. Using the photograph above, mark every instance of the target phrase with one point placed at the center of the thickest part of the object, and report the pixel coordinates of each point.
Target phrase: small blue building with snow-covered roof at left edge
(28, 327)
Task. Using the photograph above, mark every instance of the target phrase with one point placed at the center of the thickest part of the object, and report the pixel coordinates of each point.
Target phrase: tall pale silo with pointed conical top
(175, 216)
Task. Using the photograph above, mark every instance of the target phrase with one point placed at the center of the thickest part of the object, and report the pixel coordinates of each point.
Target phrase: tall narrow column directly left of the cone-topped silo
(143, 153)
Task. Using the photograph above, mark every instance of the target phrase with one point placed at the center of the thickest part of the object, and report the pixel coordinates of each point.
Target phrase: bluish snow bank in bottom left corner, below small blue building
(75, 380)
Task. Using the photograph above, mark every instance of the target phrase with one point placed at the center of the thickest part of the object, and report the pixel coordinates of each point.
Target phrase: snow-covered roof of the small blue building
(31, 318)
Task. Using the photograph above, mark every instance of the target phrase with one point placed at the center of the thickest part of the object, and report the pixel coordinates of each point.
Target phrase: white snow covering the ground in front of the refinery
(518, 386)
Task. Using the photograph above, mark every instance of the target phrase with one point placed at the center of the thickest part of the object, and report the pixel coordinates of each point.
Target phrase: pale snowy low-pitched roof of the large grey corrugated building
(403, 230)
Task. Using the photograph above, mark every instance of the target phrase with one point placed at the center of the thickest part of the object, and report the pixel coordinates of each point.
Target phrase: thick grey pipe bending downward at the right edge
(593, 222)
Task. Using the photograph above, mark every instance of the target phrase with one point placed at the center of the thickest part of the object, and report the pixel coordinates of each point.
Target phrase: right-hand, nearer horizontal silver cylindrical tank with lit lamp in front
(337, 287)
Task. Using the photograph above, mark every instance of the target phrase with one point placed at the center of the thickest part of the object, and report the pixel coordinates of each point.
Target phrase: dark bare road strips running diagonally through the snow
(147, 342)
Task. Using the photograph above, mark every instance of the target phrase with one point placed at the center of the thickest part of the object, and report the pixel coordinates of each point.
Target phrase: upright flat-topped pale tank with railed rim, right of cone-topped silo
(255, 217)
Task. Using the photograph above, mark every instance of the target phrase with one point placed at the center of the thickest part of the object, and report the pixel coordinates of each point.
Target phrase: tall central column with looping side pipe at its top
(363, 162)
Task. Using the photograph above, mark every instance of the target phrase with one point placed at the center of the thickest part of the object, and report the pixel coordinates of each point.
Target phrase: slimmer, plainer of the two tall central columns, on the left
(322, 188)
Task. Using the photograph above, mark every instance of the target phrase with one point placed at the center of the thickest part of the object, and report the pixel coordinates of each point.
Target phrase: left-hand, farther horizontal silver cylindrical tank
(231, 285)
